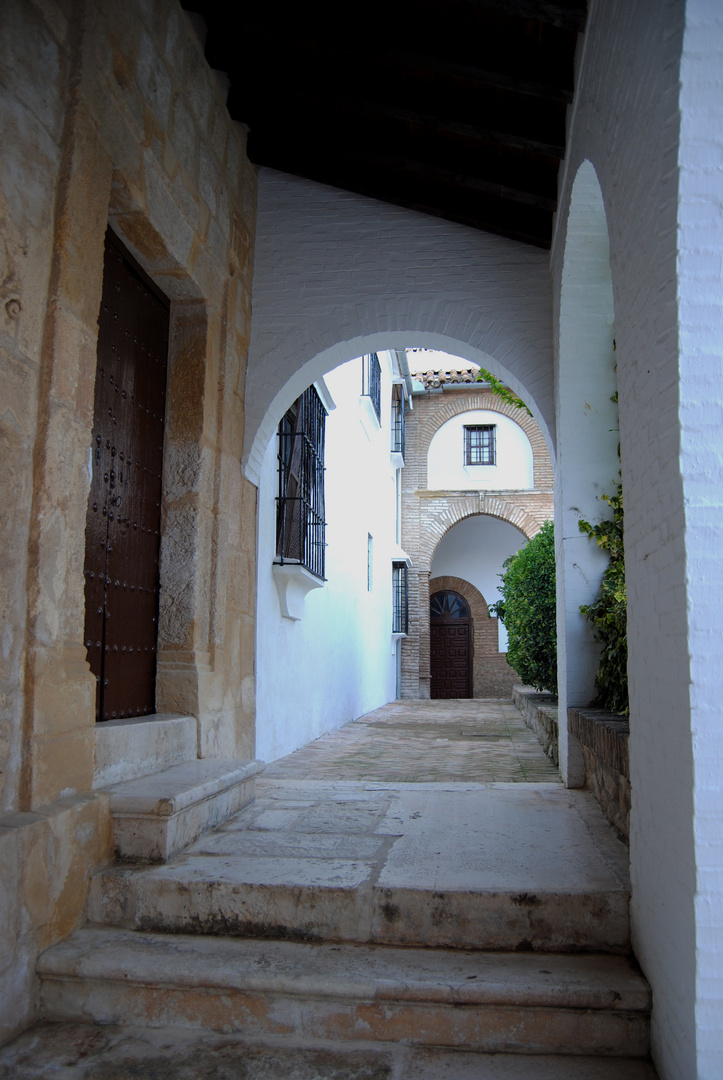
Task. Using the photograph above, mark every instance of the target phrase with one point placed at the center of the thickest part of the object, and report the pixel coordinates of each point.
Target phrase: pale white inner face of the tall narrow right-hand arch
(587, 431)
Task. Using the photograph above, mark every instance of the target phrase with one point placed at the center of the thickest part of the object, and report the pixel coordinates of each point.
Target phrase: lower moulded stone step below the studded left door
(157, 816)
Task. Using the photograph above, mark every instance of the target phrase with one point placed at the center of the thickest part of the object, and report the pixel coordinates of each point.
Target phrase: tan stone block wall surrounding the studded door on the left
(112, 117)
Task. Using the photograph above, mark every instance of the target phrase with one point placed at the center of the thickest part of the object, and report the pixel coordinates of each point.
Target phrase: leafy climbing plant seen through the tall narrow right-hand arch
(609, 612)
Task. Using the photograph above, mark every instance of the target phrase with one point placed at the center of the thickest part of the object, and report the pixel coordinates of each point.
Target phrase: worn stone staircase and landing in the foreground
(377, 931)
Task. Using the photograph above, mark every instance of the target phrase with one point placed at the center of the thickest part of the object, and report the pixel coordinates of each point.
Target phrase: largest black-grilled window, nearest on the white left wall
(301, 503)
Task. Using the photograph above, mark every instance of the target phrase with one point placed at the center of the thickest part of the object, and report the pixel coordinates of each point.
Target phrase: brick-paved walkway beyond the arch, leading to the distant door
(416, 741)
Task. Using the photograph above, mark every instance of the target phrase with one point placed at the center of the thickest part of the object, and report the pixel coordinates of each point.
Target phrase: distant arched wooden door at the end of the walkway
(451, 654)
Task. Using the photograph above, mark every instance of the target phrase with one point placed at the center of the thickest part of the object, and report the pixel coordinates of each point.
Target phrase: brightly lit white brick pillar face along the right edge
(701, 412)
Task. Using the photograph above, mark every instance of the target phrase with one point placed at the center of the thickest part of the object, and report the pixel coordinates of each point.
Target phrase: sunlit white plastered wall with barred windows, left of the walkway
(339, 660)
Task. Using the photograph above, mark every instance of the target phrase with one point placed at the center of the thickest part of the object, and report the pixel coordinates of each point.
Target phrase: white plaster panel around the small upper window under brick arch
(446, 460)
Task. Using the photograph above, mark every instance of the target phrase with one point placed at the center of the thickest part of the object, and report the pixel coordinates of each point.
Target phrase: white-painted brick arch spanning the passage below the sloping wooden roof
(338, 276)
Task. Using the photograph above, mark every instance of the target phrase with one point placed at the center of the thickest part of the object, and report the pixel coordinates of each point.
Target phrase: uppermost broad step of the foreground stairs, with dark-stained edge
(252, 901)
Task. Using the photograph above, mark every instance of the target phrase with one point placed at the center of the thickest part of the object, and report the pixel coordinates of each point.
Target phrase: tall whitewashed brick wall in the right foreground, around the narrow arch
(626, 121)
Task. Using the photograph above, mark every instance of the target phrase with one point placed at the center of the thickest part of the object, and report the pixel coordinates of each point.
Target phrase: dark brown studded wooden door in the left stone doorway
(124, 523)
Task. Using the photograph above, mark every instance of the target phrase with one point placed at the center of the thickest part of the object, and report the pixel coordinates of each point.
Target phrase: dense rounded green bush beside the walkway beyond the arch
(528, 610)
